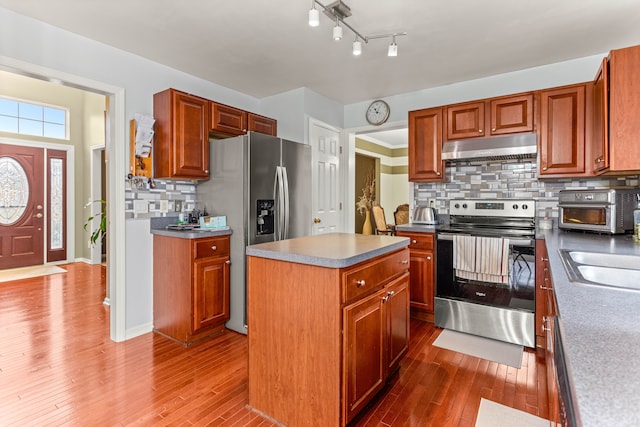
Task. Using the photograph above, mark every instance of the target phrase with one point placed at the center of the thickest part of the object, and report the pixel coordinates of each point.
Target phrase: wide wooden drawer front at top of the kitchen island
(366, 278)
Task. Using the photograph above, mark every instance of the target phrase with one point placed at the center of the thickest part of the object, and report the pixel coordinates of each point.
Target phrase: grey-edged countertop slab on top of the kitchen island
(333, 250)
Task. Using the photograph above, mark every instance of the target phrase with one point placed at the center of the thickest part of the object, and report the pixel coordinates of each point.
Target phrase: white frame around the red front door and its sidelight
(70, 150)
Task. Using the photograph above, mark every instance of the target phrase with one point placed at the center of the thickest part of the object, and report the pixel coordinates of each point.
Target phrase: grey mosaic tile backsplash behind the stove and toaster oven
(507, 179)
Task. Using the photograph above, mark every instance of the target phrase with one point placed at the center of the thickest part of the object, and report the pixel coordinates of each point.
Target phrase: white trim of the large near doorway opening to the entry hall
(116, 146)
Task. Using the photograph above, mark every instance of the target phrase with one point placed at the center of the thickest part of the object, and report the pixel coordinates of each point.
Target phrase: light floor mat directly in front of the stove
(484, 348)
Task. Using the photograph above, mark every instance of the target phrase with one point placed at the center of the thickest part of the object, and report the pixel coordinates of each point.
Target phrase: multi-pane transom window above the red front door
(32, 119)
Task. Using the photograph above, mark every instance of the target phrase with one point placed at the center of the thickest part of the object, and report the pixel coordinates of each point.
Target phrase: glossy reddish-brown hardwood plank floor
(59, 367)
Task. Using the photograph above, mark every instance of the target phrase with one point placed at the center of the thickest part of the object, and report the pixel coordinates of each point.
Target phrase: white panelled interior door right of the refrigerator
(326, 177)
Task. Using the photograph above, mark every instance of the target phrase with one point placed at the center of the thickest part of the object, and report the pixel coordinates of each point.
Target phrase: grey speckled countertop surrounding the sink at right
(600, 331)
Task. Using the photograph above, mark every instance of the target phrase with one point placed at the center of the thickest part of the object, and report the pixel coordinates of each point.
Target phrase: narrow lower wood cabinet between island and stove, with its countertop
(422, 261)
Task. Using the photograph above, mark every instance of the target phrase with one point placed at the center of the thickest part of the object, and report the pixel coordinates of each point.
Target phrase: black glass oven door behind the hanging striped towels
(518, 293)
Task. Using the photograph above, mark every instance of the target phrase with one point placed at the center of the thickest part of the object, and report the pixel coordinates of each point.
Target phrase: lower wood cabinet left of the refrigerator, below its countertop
(190, 287)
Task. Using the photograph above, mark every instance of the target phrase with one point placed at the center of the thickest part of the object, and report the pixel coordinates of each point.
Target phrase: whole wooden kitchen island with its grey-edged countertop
(328, 323)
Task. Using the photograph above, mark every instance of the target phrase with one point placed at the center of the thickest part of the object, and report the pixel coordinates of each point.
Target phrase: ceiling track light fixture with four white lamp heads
(338, 11)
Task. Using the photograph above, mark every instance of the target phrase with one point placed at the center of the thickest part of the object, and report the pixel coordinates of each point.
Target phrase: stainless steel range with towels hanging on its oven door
(485, 270)
